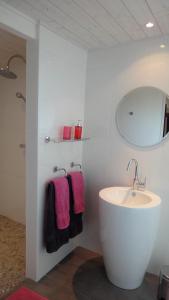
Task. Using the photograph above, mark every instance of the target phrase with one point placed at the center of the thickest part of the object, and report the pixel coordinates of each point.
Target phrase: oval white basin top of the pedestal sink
(127, 197)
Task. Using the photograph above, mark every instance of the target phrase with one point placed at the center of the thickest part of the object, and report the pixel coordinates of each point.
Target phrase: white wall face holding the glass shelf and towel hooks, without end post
(62, 73)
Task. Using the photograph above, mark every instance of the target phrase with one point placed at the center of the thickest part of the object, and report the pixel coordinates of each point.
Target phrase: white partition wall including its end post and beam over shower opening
(56, 73)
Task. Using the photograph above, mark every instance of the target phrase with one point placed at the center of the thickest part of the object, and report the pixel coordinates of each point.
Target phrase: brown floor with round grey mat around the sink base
(81, 276)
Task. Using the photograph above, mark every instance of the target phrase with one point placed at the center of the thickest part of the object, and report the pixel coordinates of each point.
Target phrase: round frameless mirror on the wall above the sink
(142, 116)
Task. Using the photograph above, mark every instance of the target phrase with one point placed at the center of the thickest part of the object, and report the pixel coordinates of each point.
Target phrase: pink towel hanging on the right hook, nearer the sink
(78, 191)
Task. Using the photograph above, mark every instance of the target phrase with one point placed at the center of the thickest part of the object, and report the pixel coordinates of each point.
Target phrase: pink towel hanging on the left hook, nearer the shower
(62, 202)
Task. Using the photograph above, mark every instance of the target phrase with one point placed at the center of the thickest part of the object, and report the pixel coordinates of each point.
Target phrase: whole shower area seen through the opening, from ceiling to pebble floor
(12, 160)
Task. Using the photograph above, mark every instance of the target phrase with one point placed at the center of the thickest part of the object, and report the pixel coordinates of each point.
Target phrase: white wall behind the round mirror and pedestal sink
(110, 75)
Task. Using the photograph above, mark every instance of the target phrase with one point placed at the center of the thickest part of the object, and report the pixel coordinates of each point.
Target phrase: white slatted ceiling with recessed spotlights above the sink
(99, 23)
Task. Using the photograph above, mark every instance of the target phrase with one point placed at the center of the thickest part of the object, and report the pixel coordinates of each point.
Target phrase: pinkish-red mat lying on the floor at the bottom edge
(25, 294)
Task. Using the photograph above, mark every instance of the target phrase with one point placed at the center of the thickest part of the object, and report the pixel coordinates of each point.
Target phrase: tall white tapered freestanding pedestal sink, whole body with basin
(129, 222)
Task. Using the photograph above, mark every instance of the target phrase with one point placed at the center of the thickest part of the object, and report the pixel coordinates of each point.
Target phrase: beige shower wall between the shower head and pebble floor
(12, 132)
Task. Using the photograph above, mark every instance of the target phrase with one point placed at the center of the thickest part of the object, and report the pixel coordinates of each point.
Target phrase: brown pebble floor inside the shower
(12, 254)
